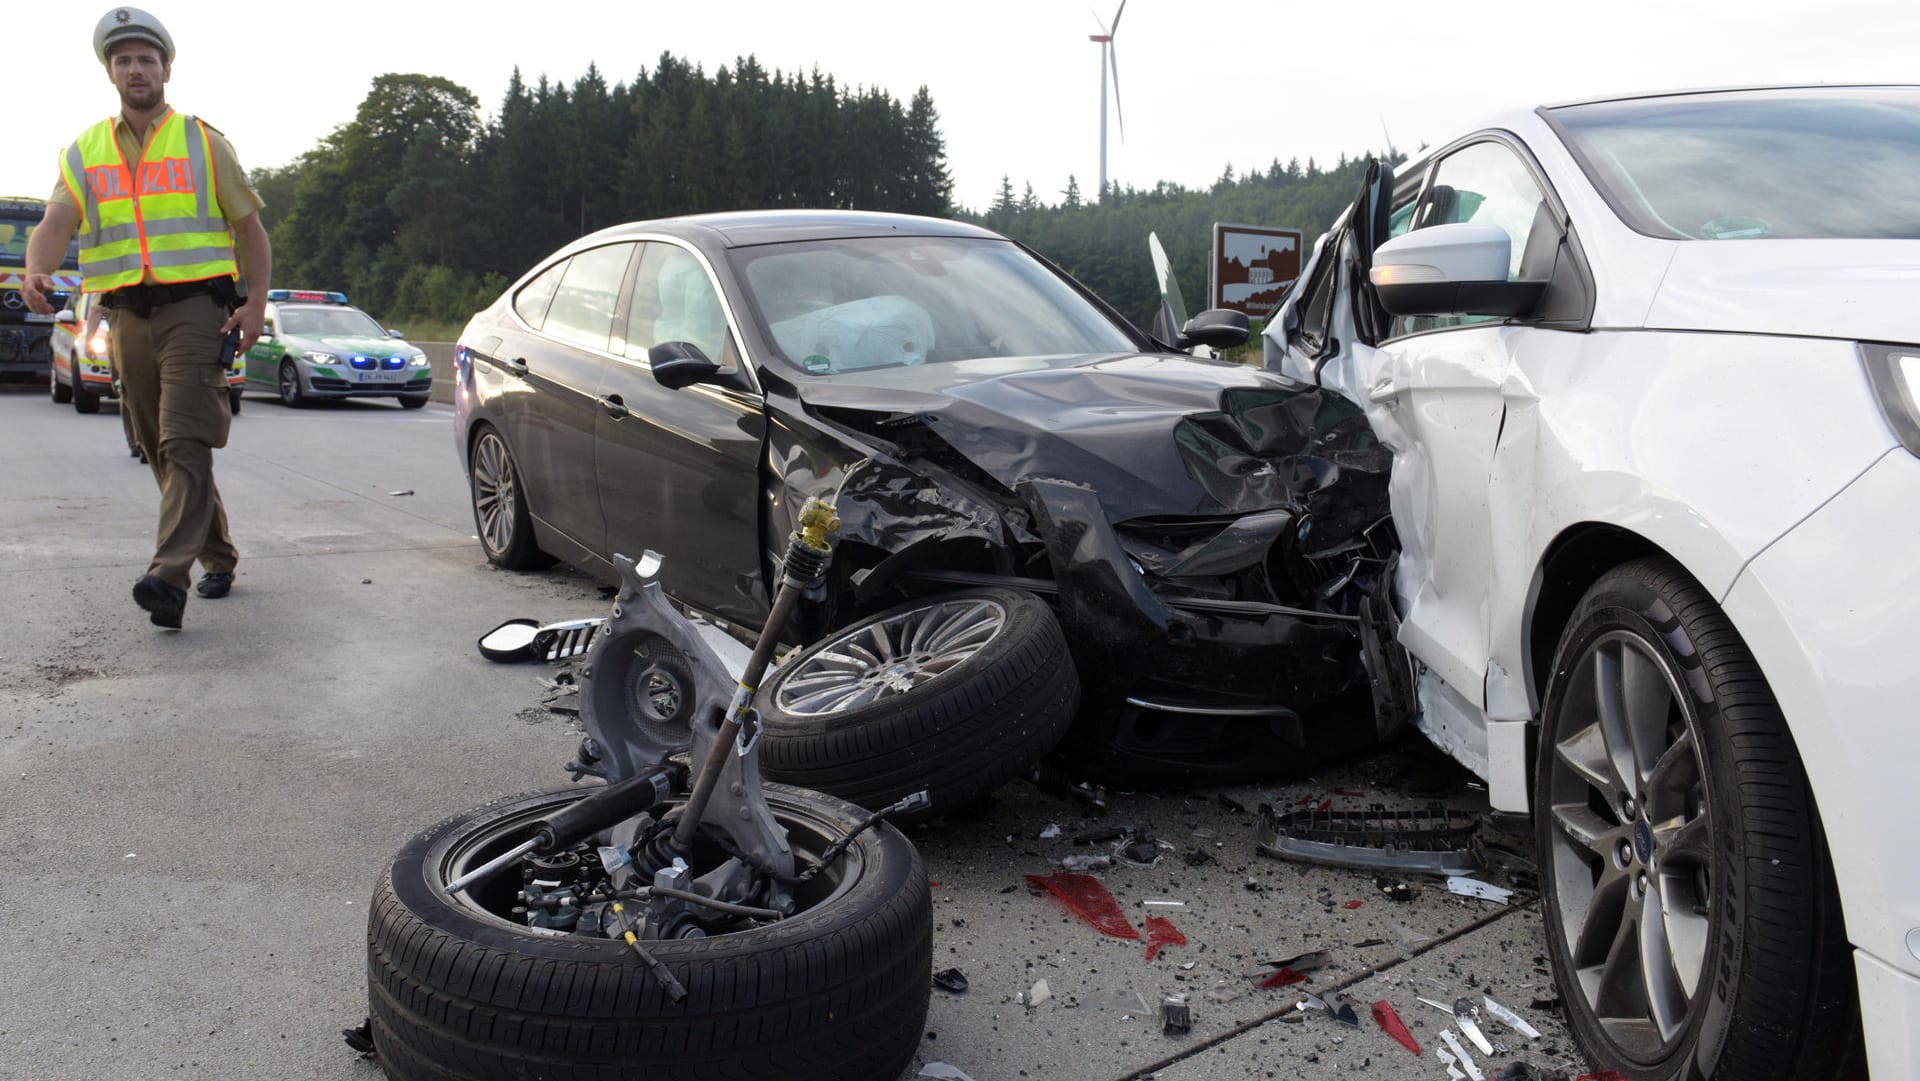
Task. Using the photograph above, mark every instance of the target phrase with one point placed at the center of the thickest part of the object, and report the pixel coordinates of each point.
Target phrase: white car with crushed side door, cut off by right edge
(1650, 370)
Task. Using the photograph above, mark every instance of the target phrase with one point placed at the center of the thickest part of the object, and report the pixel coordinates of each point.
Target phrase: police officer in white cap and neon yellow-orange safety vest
(168, 222)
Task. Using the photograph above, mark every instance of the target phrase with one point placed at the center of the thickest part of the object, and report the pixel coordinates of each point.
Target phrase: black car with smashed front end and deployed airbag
(1166, 569)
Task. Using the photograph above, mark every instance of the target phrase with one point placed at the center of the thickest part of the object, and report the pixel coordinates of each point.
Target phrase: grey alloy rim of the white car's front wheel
(1633, 844)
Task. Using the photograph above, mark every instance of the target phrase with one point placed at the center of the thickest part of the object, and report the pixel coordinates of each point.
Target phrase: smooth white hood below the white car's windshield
(1812, 289)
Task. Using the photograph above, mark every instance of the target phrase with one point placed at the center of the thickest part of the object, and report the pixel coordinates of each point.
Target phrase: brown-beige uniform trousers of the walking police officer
(174, 379)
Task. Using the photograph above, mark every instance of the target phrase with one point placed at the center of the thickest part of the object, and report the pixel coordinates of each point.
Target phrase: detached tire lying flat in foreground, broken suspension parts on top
(840, 990)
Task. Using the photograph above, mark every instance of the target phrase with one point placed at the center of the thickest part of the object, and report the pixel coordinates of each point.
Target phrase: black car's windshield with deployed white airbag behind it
(842, 306)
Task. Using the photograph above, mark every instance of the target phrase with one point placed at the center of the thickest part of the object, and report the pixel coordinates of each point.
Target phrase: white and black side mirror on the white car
(1451, 270)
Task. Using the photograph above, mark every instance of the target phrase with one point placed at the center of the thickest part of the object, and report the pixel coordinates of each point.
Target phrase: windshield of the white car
(1794, 164)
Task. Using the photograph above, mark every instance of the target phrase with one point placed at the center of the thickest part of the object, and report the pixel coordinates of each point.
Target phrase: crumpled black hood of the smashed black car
(1151, 435)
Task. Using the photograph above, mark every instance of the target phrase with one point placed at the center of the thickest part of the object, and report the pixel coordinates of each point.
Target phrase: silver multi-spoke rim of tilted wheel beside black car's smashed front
(892, 658)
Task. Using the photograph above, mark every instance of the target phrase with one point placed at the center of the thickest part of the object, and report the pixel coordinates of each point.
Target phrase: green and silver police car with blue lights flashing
(318, 345)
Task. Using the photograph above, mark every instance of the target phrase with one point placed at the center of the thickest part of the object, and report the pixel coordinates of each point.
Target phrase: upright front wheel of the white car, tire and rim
(1691, 903)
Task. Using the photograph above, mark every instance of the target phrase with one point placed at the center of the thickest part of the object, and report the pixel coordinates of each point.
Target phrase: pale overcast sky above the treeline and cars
(1205, 84)
